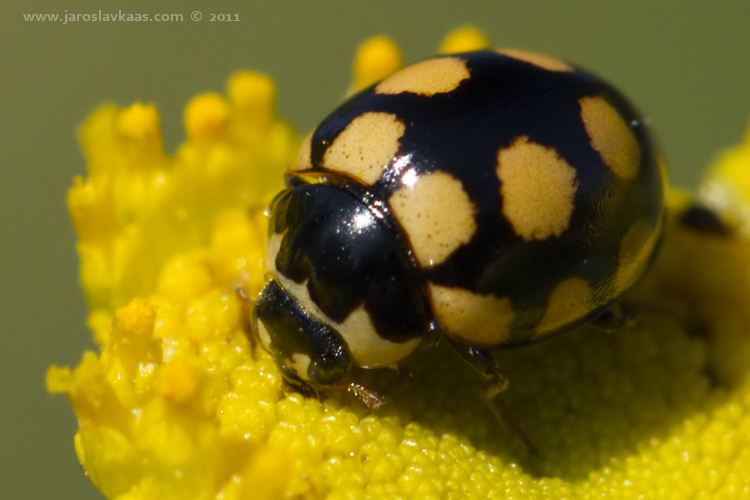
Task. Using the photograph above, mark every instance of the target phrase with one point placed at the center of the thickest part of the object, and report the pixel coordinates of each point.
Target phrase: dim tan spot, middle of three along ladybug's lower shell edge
(569, 301)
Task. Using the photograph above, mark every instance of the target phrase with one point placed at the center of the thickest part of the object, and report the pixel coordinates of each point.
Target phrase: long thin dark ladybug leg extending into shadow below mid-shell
(495, 383)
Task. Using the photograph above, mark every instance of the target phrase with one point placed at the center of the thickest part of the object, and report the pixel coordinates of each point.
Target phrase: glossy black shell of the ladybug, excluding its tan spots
(459, 132)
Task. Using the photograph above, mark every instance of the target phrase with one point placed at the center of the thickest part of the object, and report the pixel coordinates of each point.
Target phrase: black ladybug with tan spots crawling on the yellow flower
(490, 198)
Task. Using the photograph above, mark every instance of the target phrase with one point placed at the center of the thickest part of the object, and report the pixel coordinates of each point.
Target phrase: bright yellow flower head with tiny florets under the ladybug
(177, 403)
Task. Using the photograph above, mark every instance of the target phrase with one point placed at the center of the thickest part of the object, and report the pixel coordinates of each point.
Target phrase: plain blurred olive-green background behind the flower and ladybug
(685, 64)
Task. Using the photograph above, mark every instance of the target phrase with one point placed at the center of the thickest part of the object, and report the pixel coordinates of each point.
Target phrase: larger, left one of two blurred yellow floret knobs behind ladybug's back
(377, 58)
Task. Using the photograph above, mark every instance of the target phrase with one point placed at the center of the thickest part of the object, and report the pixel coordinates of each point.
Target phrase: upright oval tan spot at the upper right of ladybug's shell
(611, 137)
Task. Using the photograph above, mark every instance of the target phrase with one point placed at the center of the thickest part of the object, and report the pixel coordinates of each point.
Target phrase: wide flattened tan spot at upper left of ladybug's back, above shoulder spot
(434, 76)
